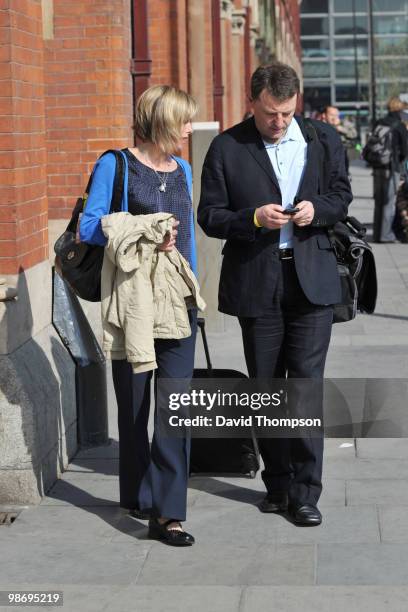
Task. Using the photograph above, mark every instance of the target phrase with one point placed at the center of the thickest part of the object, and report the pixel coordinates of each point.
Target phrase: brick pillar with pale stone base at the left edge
(37, 390)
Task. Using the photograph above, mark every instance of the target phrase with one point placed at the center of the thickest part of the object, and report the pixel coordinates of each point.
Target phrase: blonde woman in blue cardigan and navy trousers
(152, 480)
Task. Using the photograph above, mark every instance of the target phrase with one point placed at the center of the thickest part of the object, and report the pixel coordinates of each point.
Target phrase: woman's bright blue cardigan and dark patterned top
(141, 195)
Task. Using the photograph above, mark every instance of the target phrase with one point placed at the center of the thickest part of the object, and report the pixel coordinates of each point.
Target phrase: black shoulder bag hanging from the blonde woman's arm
(79, 263)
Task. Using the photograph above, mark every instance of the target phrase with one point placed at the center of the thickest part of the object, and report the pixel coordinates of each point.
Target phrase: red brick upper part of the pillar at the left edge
(23, 202)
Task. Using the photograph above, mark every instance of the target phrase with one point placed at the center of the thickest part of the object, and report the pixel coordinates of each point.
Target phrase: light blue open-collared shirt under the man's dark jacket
(288, 159)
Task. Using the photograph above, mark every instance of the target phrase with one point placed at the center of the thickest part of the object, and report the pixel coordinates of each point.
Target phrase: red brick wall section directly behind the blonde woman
(88, 91)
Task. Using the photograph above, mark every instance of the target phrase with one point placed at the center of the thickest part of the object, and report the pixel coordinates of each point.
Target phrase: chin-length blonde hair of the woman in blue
(161, 112)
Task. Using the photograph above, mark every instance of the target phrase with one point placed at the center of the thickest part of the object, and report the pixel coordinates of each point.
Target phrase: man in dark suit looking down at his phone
(279, 273)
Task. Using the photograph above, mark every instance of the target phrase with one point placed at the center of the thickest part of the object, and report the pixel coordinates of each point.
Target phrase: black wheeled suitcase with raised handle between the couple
(222, 455)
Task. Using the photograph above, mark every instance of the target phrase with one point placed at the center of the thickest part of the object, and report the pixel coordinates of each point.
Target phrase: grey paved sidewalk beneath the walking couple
(80, 542)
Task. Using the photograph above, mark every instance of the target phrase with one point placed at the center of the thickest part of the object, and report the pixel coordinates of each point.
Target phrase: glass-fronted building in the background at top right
(340, 54)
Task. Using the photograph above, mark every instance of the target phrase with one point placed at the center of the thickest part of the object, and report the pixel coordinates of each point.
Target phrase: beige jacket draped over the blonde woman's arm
(145, 292)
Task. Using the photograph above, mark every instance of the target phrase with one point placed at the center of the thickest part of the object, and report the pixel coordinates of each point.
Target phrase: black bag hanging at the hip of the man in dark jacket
(356, 267)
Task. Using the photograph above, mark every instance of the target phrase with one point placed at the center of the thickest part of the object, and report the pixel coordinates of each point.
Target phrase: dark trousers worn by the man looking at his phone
(290, 339)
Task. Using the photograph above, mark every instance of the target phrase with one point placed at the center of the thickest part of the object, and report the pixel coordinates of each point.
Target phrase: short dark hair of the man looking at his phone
(279, 80)
